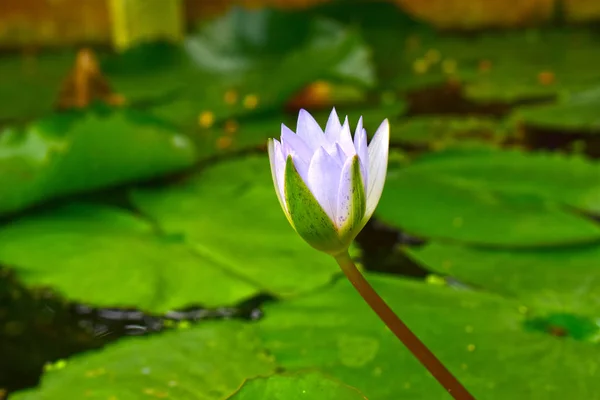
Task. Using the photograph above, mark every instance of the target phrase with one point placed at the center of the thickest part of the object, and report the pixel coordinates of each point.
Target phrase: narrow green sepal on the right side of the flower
(358, 206)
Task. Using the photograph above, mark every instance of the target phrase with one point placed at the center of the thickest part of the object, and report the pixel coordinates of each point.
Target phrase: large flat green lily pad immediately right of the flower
(494, 198)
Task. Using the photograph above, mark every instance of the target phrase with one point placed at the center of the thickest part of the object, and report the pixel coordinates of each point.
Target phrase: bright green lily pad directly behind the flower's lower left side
(229, 213)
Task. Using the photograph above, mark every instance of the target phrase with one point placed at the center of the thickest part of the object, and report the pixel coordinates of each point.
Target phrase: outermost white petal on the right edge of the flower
(378, 159)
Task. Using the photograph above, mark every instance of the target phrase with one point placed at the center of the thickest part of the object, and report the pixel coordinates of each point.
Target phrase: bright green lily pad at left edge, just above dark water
(108, 257)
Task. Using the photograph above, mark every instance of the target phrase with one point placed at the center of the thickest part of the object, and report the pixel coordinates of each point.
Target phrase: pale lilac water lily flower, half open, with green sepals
(327, 183)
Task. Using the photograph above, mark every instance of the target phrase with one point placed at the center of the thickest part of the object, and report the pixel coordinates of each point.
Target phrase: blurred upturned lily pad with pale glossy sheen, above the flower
(240, 70)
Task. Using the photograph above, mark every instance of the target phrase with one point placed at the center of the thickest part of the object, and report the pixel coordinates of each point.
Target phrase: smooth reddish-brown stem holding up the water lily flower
(395, 324)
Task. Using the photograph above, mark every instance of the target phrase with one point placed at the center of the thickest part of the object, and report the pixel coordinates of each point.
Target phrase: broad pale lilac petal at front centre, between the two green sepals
(324, 178)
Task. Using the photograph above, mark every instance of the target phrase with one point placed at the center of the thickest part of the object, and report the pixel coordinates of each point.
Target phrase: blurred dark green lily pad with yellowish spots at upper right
(502, 67)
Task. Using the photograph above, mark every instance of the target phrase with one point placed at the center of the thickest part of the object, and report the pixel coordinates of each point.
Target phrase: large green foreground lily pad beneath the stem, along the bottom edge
(335, 332)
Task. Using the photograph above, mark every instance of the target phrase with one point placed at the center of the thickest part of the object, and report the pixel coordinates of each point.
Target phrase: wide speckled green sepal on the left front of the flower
(308, 217)
